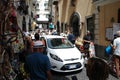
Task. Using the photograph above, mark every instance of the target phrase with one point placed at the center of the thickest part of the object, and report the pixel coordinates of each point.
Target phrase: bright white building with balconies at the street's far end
(42, 13)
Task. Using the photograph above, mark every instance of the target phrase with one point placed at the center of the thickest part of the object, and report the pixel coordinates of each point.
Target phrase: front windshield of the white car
(59, 43)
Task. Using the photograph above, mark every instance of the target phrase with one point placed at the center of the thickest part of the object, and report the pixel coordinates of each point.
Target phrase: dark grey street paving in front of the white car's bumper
(80, 75)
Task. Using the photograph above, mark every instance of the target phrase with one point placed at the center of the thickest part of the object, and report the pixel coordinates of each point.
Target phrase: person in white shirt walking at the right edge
(116, 47)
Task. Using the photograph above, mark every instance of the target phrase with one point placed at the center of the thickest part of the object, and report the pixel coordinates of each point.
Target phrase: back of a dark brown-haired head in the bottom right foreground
(97, 69)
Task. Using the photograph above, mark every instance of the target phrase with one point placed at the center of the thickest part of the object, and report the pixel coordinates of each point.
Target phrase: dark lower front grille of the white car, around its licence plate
(68, 66)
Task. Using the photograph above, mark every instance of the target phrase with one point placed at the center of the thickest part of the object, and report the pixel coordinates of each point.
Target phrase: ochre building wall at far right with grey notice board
(107, 13)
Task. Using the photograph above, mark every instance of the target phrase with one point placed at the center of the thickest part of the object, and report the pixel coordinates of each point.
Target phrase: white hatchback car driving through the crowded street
(63, 55)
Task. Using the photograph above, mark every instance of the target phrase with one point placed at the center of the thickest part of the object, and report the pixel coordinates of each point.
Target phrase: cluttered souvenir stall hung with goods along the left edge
(11, 41)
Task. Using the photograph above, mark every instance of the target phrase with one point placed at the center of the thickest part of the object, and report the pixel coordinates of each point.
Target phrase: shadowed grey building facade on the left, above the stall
(25, 14)
